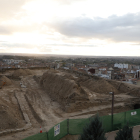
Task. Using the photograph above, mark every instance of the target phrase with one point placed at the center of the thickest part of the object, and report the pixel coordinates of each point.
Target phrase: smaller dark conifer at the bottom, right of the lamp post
(126, 133)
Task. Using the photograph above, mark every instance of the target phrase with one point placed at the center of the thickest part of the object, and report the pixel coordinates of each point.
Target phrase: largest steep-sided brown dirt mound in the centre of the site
(63, 90)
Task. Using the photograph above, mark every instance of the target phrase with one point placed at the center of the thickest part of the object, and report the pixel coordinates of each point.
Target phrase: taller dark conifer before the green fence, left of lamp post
(93, 130)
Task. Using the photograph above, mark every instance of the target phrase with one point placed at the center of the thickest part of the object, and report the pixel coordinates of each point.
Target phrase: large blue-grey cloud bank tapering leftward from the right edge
(124, 28)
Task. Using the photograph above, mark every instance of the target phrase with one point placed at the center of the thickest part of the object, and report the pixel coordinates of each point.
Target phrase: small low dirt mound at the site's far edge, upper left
(21, 72)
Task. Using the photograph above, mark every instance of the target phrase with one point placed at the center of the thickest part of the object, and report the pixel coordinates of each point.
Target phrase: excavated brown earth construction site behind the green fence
(44, 97)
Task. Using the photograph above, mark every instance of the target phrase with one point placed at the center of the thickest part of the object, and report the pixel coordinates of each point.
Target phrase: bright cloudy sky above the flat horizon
(70, 27)
